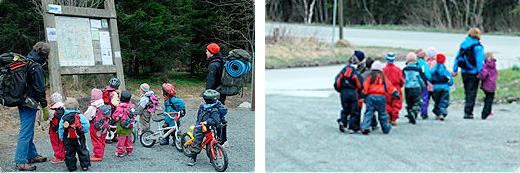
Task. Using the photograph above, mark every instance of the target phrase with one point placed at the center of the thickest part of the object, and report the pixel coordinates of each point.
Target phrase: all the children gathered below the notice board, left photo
(110, 107)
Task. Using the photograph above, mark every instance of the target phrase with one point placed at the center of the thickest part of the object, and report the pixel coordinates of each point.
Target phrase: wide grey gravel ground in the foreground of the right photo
(302, 135)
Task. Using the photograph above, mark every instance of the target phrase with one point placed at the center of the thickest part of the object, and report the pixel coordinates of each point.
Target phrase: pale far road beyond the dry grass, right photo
(506, 48)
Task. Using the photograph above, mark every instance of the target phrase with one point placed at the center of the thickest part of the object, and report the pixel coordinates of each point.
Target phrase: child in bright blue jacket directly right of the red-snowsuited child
(415, 81)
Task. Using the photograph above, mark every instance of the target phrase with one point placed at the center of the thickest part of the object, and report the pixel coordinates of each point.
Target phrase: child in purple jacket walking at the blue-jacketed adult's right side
(488, 75)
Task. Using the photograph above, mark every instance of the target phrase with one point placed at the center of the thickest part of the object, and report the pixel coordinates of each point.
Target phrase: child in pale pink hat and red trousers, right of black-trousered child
(98, 114)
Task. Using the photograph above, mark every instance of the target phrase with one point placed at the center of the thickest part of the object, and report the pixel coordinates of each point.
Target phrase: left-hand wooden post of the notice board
(54, 66)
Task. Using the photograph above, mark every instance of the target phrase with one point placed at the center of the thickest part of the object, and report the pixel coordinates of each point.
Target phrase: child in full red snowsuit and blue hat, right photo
(395, 76)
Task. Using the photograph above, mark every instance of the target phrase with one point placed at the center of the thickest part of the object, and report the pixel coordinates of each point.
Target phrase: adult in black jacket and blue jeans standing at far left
(26, 150)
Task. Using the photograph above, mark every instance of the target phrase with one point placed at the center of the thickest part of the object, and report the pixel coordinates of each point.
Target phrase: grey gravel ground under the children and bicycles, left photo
(157, 158)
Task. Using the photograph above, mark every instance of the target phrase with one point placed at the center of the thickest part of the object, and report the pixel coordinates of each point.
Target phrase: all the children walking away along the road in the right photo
(425, 76)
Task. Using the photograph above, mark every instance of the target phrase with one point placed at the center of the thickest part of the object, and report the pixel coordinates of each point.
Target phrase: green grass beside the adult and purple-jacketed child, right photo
(507, 86)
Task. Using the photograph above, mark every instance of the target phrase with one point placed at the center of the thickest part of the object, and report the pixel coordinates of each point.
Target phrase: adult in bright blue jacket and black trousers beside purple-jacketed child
(470, 60)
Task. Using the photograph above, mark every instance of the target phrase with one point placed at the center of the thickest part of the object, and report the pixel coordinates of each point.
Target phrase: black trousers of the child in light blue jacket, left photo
(73, 147)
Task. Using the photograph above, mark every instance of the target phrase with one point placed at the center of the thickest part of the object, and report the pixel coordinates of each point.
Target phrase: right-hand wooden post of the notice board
(114, 39)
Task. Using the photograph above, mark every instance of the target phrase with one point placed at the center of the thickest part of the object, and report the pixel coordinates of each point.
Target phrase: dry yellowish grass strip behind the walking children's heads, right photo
(304, 52)
